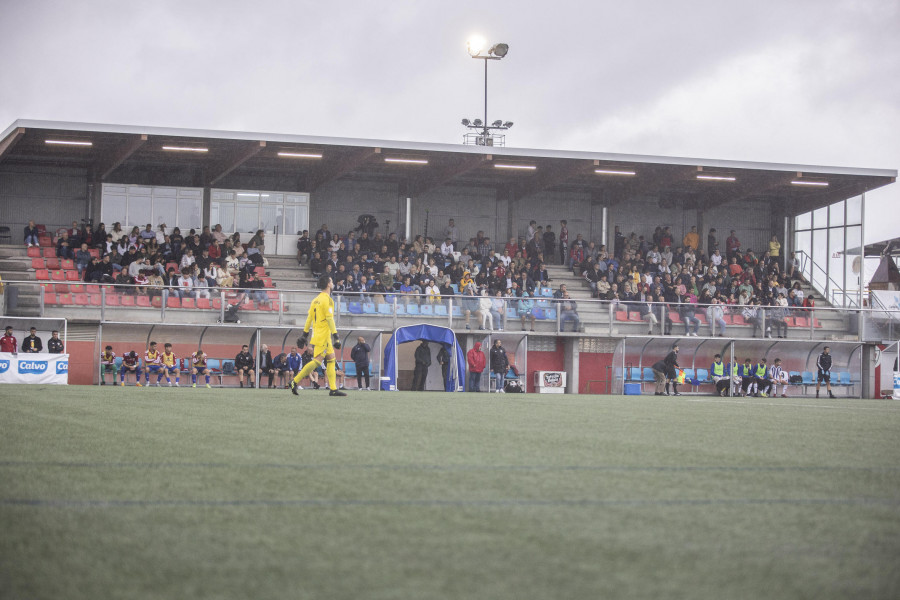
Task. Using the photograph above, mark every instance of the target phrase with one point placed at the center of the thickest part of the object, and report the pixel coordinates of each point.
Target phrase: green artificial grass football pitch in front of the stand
(194, 493)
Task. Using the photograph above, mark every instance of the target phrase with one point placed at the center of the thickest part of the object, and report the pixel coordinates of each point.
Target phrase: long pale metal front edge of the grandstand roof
(443, 147)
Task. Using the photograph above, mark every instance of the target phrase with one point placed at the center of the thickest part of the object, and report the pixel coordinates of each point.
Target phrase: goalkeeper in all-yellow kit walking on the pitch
(320, 322)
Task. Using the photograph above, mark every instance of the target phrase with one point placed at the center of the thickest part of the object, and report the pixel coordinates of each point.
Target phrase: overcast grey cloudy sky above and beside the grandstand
(814, 82)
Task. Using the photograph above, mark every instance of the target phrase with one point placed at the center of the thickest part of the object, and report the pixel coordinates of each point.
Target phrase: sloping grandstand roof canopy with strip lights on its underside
(116, 151)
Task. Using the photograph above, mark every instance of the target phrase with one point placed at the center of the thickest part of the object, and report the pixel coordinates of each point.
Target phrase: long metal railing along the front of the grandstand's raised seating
(542, 314)
